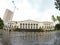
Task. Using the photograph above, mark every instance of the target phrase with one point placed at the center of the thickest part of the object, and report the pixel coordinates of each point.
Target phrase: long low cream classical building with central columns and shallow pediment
(31, 24)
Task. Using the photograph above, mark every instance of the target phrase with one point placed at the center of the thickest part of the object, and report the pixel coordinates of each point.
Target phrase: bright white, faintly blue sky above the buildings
(39, 10)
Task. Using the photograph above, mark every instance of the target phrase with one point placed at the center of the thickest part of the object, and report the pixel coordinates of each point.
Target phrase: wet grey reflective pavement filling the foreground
(23, 38)
